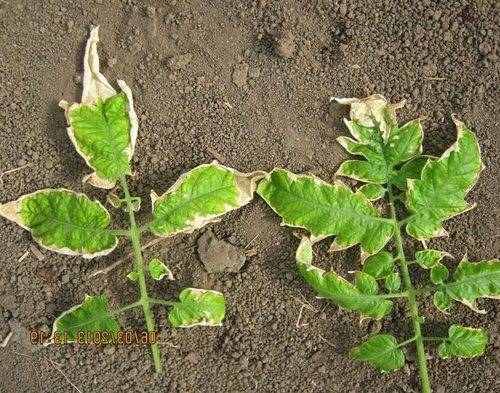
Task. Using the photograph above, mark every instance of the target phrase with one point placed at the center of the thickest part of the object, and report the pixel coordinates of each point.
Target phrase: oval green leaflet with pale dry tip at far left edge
(63, 221)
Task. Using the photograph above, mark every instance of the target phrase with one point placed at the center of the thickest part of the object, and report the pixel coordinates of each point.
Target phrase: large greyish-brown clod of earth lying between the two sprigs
(218, 255)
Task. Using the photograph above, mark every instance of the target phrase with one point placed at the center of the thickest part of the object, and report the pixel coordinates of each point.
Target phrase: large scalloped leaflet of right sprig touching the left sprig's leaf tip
(326, 210)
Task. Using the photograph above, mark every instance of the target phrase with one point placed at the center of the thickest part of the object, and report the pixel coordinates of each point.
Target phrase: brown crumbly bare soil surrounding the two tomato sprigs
(247, 83)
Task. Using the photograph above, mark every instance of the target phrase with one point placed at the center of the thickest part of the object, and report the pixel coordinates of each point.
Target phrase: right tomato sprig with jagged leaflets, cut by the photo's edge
(432, 190)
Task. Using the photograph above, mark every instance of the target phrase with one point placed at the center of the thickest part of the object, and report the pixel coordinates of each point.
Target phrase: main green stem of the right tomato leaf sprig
(412, 303)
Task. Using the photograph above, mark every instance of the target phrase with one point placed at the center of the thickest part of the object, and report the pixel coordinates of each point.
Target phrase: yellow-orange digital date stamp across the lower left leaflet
(98, 337)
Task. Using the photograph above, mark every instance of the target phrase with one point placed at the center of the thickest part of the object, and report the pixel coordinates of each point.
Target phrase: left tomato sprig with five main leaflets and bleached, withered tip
(103, 129)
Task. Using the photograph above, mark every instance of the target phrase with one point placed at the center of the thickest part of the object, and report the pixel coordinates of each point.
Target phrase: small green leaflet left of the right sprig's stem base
(380, 351)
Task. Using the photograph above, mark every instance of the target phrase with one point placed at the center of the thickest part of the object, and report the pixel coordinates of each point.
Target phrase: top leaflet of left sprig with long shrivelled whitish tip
(103, 127)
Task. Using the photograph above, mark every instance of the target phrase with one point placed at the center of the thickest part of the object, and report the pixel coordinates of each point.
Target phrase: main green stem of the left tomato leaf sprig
(135, 236)
